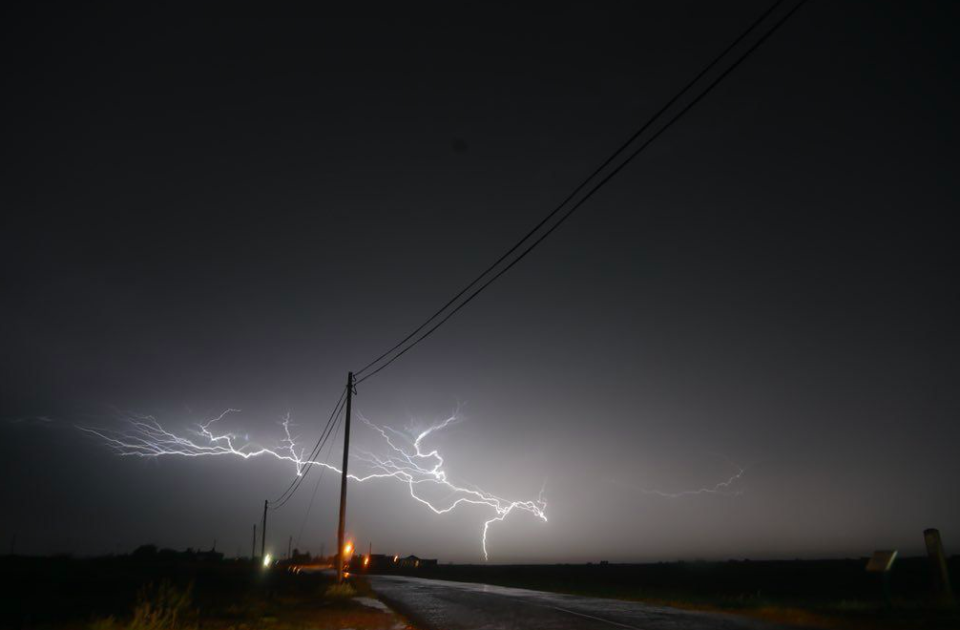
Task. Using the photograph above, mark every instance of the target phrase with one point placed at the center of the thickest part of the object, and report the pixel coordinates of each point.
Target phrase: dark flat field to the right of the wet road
(825, 593)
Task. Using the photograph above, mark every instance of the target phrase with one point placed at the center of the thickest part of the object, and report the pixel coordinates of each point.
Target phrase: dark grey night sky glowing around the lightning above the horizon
(212, 214)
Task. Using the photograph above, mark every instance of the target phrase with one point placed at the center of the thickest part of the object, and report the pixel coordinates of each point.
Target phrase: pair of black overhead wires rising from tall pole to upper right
(583, 184)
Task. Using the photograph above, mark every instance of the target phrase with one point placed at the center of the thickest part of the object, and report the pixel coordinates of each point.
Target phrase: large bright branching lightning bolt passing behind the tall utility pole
(407, 460)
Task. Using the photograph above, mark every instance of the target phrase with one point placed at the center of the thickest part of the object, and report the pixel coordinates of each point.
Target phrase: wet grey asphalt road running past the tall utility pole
(443, 605)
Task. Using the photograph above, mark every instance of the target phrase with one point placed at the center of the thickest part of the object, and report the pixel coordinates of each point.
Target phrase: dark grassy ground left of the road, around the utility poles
(171, 592)
